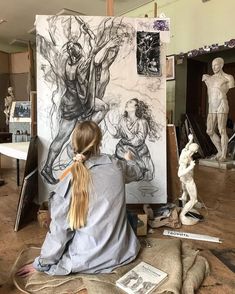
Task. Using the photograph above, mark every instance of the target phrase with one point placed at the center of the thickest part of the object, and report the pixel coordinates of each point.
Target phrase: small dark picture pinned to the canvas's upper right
(148, 53)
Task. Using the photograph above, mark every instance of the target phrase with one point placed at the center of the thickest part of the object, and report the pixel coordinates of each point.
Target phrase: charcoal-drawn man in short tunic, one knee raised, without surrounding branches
(85, 81)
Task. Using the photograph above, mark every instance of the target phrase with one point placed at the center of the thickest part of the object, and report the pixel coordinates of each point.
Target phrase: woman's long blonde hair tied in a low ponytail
(86, 140)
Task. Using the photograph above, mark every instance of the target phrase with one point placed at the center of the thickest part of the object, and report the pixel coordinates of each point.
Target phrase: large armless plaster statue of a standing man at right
(218, 85)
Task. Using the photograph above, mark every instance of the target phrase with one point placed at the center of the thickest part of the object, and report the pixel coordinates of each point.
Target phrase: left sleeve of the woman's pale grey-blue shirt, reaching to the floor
(58, 235)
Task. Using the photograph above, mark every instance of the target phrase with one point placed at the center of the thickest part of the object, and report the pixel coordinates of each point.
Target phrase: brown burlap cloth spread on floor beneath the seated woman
(185, 267)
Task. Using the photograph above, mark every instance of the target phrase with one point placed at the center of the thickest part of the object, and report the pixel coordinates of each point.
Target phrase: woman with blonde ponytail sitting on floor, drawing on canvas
(89, 231)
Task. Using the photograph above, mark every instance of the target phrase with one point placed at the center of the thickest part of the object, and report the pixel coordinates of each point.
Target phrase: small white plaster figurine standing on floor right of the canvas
(185, 173)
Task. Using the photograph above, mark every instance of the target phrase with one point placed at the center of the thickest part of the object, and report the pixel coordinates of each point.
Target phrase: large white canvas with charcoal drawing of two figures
(110, 70)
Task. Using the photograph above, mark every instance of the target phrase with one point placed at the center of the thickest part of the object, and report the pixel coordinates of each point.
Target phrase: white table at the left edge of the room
(17, 150)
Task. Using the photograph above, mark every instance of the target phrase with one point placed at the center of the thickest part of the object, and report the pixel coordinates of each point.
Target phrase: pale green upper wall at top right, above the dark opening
(194, 23)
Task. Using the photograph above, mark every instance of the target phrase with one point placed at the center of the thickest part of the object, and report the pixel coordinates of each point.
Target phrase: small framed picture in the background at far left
(20, 111)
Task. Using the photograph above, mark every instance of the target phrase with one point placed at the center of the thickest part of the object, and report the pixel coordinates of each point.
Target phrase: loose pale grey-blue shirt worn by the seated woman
(107, 241)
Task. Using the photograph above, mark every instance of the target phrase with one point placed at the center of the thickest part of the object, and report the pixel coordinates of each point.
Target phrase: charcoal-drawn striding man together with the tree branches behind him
(85, 63)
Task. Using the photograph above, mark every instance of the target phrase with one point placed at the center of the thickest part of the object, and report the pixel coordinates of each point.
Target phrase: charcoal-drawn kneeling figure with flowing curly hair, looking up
(132, 130)
